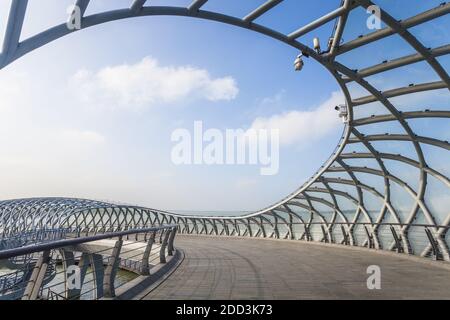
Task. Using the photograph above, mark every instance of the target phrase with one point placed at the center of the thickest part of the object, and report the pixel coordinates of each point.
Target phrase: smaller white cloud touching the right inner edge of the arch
(303, 127)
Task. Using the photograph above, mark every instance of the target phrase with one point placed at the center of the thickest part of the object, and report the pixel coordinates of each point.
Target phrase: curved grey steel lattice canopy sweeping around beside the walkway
(289, 213)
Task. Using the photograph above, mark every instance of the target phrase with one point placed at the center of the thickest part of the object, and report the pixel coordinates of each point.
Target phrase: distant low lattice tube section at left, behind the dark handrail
(19, 217)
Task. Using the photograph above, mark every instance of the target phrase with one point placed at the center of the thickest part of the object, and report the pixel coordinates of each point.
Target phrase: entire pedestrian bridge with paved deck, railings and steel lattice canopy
(380, 200)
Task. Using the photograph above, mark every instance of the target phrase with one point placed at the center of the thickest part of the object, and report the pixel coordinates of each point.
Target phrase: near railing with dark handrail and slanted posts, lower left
(85, 266)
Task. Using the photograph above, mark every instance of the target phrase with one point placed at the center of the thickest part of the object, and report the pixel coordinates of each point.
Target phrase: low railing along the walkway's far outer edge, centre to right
(425, 240)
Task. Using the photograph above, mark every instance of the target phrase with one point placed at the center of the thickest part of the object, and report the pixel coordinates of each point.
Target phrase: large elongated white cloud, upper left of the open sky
(147, 83)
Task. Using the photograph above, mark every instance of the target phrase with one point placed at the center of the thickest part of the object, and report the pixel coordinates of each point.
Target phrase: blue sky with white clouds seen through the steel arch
(91, 115)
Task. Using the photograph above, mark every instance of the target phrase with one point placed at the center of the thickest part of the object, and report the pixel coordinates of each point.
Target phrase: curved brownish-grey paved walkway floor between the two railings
(229, 268)
